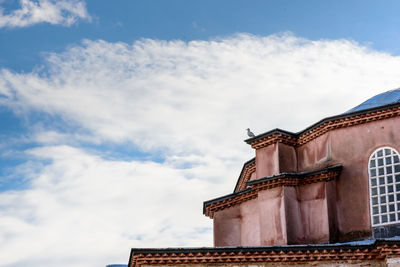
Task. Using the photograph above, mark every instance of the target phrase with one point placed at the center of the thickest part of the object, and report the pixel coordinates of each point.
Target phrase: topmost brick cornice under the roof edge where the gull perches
(323, 126)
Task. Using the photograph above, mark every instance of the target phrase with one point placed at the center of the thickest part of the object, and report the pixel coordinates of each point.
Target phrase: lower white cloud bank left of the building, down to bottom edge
(82, 210)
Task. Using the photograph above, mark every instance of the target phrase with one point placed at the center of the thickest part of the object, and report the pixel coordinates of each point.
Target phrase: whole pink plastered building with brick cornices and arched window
(327, 195)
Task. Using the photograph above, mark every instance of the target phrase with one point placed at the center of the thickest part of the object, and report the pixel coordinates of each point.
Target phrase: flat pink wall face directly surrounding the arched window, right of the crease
(352, 147)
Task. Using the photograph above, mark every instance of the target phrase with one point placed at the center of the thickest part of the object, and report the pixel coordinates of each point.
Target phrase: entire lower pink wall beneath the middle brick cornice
(278, 216)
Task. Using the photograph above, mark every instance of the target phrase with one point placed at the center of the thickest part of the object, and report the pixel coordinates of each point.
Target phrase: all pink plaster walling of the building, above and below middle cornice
(320, 212)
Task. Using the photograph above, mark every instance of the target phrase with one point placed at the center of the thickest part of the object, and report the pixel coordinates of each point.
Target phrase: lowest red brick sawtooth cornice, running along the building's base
(379, 250)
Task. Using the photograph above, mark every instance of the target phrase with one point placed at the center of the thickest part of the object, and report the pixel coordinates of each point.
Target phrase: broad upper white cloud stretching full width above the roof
(198, 97)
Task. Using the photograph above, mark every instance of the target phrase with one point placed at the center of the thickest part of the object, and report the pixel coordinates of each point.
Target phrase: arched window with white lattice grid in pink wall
(384, 186)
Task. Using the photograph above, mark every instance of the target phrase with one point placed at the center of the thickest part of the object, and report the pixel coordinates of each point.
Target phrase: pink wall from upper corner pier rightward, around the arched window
(351, 147)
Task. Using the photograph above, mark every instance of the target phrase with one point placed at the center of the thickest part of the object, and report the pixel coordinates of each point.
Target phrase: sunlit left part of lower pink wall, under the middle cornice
(260, 221)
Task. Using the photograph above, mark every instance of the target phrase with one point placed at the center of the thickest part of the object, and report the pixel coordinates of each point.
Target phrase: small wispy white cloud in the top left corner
(63, 12)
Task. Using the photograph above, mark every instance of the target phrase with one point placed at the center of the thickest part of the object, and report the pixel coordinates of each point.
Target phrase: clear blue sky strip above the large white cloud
(367, 22)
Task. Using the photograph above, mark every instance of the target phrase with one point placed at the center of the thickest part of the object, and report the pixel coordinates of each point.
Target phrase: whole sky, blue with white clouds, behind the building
(119, 118)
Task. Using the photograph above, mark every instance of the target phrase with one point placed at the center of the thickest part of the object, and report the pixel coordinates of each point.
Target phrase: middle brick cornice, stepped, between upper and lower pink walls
(255, 186)
